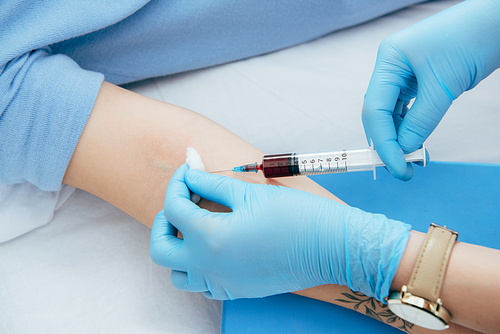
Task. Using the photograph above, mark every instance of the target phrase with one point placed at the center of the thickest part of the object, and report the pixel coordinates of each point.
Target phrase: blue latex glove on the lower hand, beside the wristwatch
(275, 240)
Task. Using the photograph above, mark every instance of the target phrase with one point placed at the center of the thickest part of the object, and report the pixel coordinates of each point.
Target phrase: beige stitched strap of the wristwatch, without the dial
(428, 274)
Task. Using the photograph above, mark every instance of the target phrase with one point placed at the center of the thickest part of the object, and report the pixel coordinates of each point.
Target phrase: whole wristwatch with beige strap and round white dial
(419, 302)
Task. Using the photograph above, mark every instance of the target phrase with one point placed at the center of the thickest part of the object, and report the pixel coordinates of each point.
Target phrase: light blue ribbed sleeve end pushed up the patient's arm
(45, 102)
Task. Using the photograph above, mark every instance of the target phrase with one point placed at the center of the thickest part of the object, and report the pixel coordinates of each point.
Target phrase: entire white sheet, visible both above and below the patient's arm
(89, 270)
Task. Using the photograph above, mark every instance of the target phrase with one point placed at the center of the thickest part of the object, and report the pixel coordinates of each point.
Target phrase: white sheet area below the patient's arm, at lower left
(89, 271)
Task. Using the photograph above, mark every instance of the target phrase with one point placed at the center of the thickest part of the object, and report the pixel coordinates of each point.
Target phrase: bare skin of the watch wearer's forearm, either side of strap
(470, 290)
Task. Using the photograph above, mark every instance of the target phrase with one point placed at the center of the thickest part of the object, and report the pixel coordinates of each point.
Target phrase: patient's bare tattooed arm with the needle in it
(132, 145)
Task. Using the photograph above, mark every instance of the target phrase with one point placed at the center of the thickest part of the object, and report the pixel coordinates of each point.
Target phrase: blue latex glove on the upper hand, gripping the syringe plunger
(433, 61)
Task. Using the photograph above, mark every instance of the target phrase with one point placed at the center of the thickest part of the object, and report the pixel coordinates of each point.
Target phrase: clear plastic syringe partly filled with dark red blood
(340, 161)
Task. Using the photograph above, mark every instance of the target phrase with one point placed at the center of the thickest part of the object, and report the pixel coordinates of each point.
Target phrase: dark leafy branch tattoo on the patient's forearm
(375, 309)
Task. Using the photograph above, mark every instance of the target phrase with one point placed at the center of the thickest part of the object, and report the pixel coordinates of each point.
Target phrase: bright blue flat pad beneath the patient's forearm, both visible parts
(464, 197)
